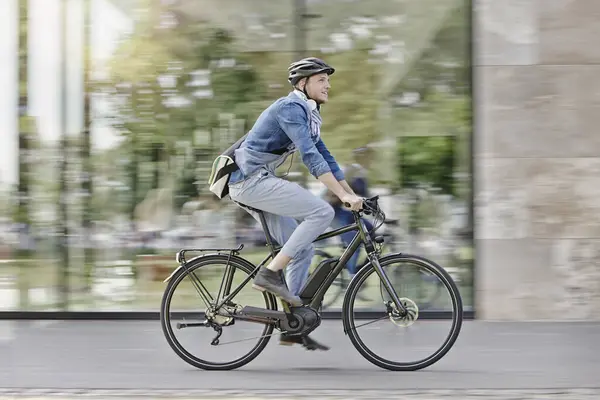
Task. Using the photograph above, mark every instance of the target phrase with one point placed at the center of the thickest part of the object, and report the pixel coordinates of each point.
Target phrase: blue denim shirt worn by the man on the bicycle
(285, 124)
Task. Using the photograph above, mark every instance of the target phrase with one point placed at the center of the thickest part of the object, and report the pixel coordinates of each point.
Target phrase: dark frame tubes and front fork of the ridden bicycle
(361, 236)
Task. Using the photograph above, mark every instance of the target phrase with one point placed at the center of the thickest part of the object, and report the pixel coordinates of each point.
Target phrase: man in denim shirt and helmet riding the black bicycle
(292, 123)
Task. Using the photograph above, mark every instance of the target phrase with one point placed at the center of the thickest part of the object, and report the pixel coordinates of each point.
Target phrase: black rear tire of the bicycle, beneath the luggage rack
(192, 265)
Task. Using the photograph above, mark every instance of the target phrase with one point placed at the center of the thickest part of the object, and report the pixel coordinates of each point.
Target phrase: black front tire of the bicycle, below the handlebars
(348, 318)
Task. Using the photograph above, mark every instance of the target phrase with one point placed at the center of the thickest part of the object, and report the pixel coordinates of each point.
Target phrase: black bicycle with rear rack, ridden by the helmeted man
(227, 310)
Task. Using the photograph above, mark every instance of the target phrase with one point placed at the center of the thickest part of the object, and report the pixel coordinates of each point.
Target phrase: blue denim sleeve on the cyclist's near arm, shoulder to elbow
(292, 118)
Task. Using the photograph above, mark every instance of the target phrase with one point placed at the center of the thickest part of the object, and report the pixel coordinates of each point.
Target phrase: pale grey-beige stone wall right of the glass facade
(537, 159)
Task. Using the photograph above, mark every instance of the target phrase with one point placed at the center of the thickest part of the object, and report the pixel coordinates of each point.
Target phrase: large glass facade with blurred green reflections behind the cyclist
(99, 192)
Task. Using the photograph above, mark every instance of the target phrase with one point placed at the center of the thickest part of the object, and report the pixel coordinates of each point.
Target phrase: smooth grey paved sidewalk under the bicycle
(120, 359)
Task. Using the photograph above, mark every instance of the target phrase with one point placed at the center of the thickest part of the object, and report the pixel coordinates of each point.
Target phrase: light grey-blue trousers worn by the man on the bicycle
(294, 216)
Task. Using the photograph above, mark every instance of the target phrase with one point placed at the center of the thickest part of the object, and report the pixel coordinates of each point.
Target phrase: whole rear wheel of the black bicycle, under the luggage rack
(191, 323)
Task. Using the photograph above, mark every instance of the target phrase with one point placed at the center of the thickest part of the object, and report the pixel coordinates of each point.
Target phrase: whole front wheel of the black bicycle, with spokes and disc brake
(410, 342)
